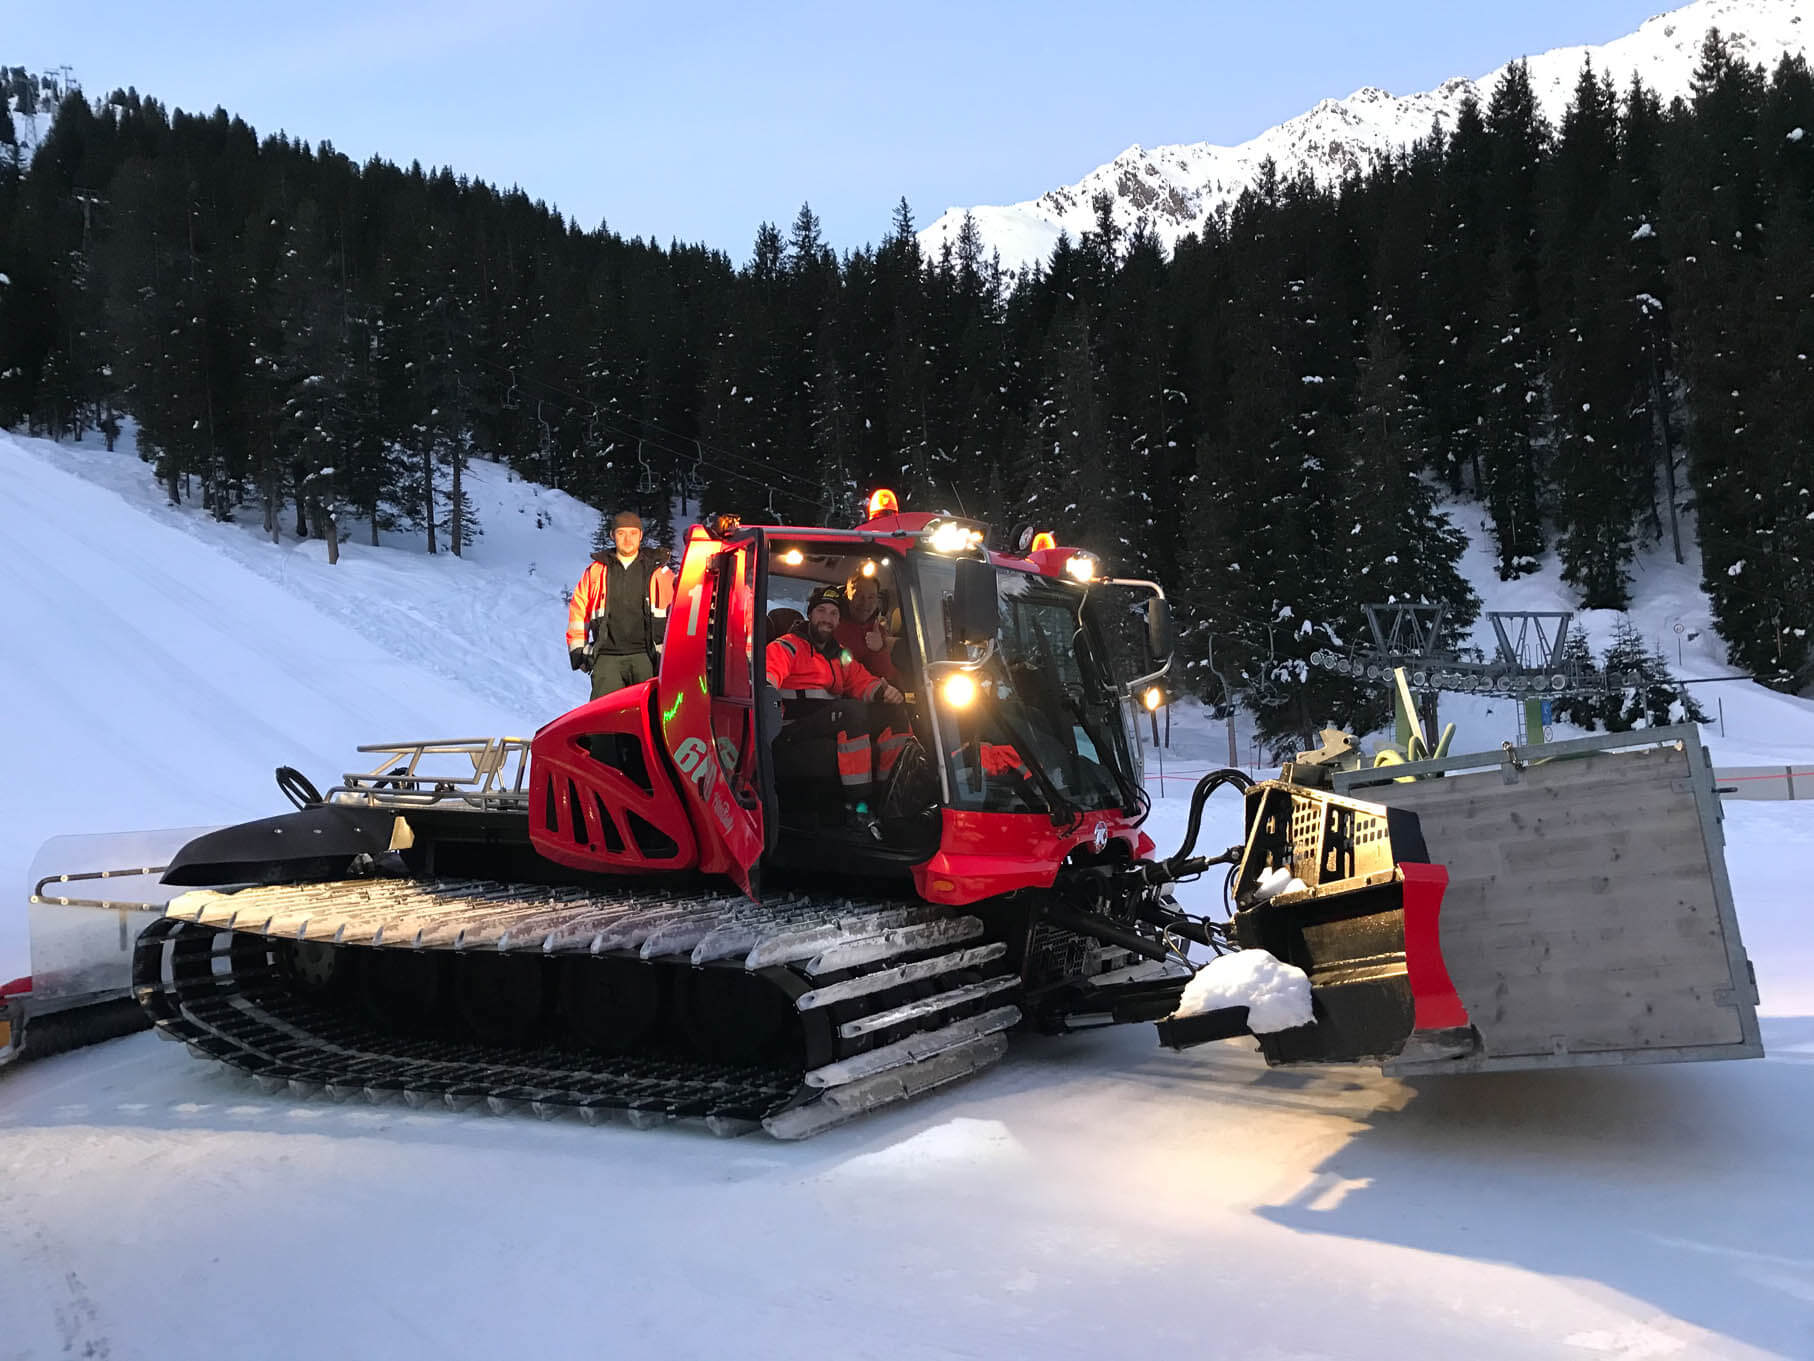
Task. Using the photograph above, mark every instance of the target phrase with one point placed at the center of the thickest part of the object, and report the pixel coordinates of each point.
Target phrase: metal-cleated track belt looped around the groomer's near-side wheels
(206, 977)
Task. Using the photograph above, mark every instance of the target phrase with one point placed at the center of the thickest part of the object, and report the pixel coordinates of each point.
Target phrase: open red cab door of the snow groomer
(710, 698)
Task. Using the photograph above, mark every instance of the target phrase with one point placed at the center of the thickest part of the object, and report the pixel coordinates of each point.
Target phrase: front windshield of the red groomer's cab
(1048, 732)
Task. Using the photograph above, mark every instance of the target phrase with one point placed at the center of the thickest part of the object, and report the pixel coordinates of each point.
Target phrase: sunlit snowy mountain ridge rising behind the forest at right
(1176, 190)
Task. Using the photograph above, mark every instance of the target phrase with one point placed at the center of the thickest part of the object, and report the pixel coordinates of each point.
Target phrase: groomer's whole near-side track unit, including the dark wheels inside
(634, 1003)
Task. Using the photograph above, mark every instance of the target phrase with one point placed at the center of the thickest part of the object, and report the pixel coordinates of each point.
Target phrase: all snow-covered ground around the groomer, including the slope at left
(1095, 1197)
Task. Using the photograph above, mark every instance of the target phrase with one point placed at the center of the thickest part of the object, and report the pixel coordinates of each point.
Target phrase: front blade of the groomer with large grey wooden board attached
(1586, 915)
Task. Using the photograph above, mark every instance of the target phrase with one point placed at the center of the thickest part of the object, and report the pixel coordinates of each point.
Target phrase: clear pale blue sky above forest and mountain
(701, 119)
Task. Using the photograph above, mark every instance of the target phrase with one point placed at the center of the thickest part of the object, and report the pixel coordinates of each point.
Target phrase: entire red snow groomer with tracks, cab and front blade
(737, 897)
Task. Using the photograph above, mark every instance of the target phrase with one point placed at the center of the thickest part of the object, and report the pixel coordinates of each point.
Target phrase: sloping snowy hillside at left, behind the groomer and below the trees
(161, 667)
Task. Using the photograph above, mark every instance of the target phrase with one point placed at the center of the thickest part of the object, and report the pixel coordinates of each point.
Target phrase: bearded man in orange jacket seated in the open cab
(812, 665)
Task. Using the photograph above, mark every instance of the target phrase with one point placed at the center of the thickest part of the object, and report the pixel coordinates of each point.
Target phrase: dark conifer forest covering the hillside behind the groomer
(1595, 338)
